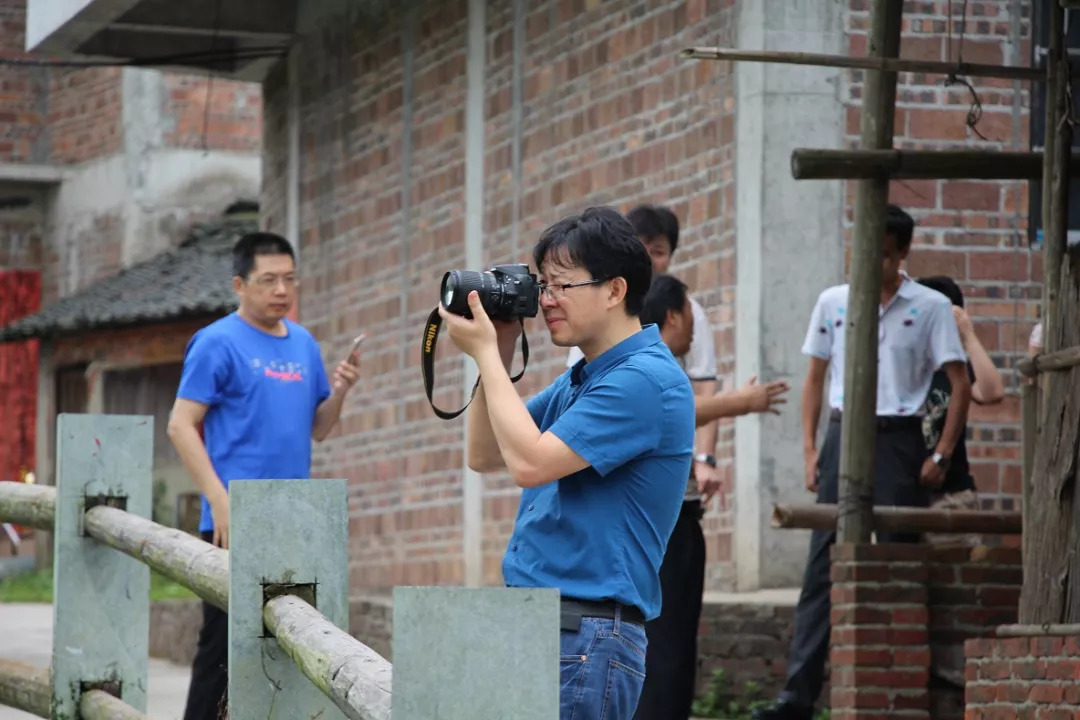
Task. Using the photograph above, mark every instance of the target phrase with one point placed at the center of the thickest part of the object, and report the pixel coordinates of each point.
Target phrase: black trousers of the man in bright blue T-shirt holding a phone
(210, 670)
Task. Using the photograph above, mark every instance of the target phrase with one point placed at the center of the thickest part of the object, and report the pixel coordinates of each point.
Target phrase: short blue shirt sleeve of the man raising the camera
(614, 422)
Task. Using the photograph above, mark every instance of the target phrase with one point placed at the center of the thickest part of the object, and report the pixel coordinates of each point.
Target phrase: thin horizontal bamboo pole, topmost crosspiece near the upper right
(892, 64)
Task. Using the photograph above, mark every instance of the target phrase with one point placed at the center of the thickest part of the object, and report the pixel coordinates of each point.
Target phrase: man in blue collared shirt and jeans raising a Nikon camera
(603, 454)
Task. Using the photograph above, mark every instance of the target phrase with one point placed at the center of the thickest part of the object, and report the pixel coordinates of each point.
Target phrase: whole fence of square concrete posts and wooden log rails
(285, 585)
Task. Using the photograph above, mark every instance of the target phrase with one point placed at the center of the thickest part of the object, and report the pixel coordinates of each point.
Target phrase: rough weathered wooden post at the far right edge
(1051, 592)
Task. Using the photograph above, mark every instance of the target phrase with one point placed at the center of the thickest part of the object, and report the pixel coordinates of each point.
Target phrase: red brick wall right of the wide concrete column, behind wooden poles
(974, 232)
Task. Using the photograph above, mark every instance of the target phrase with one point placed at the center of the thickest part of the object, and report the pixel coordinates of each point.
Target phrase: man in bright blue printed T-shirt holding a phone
(253, 395)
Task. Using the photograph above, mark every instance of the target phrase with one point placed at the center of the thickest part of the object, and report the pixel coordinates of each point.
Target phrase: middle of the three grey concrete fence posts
(286, 538)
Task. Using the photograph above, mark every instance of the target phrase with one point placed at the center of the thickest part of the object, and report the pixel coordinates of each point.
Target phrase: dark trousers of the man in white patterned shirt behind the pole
(898, 463)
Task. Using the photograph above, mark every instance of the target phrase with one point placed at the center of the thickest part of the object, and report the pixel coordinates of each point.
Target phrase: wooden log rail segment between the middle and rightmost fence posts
(356, 677)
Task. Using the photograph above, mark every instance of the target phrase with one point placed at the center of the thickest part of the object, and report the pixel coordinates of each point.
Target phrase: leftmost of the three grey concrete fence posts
(101, 597)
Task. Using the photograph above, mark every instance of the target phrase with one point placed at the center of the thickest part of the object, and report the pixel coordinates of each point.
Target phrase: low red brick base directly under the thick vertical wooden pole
(901, 616)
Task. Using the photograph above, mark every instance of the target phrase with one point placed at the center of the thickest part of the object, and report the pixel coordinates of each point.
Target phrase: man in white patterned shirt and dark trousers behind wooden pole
(917, 336)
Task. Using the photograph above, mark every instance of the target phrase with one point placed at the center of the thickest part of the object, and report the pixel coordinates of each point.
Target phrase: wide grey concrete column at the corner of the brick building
(790, 247)
